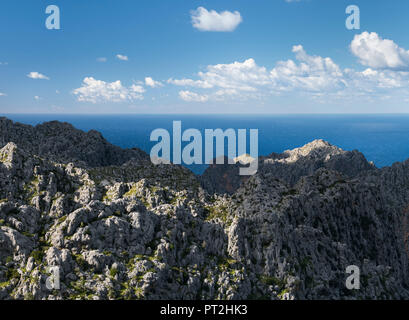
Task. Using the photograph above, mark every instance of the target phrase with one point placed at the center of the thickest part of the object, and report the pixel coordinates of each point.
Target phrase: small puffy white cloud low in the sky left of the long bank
(95, 91)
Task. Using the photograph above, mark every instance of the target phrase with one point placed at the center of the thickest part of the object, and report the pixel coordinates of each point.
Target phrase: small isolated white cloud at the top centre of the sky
(205, 20)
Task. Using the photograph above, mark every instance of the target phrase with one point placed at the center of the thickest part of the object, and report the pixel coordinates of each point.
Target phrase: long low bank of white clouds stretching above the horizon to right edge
(307, 74)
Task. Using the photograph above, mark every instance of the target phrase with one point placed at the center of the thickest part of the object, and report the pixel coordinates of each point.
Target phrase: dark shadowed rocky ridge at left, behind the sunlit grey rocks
(61, 142)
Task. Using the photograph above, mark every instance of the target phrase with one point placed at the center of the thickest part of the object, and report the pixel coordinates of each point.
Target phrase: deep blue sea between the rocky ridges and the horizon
(383, 139)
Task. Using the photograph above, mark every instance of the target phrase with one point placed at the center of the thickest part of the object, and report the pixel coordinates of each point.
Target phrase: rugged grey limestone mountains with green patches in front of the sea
(134, 230)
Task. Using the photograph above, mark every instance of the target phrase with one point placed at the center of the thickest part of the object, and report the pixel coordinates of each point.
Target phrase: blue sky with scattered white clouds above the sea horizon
(264, 56)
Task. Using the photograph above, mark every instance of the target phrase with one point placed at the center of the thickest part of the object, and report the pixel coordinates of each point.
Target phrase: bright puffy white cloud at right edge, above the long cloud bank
(378, 53)
